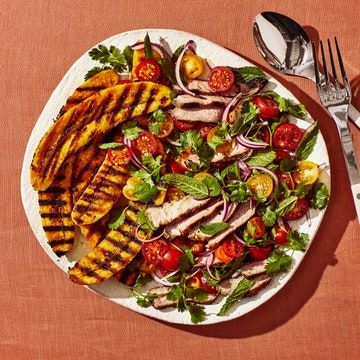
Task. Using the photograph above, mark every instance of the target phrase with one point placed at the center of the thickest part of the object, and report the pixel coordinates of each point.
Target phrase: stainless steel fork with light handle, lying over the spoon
(336, 99)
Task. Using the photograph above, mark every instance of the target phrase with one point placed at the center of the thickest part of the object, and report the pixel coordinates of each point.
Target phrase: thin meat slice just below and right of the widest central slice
(182, 227)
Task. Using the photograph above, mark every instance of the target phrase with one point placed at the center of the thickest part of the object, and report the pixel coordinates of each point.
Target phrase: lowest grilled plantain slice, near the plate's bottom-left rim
(112, 254)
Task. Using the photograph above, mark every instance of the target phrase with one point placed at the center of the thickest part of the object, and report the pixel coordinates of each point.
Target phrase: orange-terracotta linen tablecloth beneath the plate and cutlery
(45, 316)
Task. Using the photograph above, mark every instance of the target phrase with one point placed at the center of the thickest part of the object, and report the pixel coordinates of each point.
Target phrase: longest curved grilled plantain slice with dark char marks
(92, 117)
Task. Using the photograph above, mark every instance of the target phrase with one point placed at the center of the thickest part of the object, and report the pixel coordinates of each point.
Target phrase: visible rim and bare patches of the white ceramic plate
(115, 291)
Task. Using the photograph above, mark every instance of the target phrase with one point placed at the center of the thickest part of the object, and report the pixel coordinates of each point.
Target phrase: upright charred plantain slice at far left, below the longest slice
(55, 205)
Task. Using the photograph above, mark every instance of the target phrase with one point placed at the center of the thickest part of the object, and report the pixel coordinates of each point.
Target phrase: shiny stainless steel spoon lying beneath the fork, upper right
(286, 47)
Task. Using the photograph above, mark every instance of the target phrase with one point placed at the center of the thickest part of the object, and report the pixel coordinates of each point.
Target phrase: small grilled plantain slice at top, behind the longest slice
(100, 81)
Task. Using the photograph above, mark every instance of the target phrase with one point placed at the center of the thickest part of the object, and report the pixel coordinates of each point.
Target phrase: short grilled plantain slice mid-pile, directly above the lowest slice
(101, 194)
